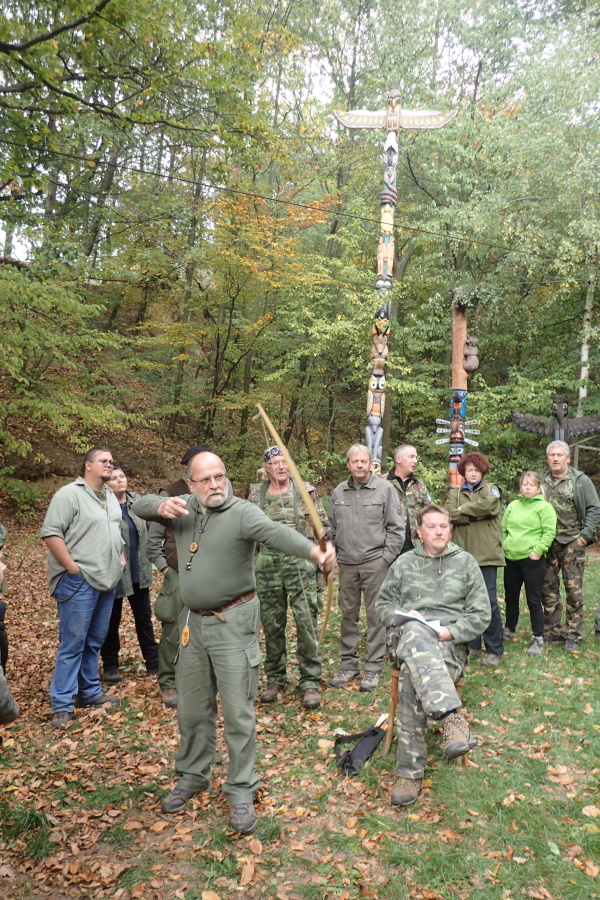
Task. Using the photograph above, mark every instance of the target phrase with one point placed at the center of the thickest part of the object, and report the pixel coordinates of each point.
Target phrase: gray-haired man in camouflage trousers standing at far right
(577, 508)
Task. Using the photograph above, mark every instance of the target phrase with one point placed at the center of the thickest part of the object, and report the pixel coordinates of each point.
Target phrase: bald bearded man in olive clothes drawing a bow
(219, 651)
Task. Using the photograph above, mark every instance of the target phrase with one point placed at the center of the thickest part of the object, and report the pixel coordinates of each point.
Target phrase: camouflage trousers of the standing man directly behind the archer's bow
(281, 579)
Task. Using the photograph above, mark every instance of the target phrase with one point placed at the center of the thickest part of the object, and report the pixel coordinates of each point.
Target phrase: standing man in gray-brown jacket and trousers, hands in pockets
(367, 530)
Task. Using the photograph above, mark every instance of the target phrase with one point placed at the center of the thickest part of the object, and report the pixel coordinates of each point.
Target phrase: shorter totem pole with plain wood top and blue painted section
(464, 361)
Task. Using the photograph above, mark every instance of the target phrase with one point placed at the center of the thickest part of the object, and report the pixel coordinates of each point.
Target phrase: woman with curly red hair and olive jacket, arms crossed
(474, 509)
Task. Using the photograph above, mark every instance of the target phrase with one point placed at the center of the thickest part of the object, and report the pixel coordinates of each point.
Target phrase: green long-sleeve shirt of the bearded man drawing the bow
(222, 569)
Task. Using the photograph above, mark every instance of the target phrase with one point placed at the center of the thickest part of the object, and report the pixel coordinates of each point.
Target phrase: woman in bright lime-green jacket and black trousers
(528, 526)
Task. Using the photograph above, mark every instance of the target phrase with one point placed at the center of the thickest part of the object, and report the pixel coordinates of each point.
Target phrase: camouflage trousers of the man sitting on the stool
(428, 671)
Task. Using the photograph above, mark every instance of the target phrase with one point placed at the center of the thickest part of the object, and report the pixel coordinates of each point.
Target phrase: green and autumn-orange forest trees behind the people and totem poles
(187, 230)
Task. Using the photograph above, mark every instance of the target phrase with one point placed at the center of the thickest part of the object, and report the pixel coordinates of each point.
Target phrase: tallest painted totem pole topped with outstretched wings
(392, 119)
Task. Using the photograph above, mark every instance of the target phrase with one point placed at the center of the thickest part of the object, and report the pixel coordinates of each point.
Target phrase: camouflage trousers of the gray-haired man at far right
(568, 560)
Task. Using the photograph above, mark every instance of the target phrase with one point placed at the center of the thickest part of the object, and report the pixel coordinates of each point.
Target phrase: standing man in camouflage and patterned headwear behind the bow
(281, 579)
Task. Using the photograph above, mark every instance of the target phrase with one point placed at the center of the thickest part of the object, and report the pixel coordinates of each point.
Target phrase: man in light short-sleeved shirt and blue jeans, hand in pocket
(82, 531)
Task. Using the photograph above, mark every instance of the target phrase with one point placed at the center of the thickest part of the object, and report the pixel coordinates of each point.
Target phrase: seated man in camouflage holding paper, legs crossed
(436, 580)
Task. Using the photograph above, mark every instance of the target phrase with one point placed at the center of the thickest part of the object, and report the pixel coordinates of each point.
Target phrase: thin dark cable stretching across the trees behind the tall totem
(342, 215)
